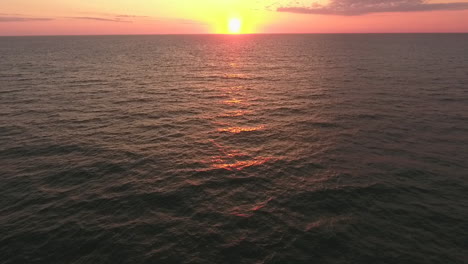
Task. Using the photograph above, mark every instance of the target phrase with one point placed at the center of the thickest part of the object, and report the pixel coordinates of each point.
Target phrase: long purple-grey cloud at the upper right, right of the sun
(361, 7)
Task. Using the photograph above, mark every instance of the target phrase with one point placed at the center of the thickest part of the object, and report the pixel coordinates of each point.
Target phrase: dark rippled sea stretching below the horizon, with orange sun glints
(234, 149)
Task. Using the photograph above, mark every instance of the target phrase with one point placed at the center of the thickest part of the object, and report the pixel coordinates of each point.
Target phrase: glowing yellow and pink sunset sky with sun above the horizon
(109, 17)
